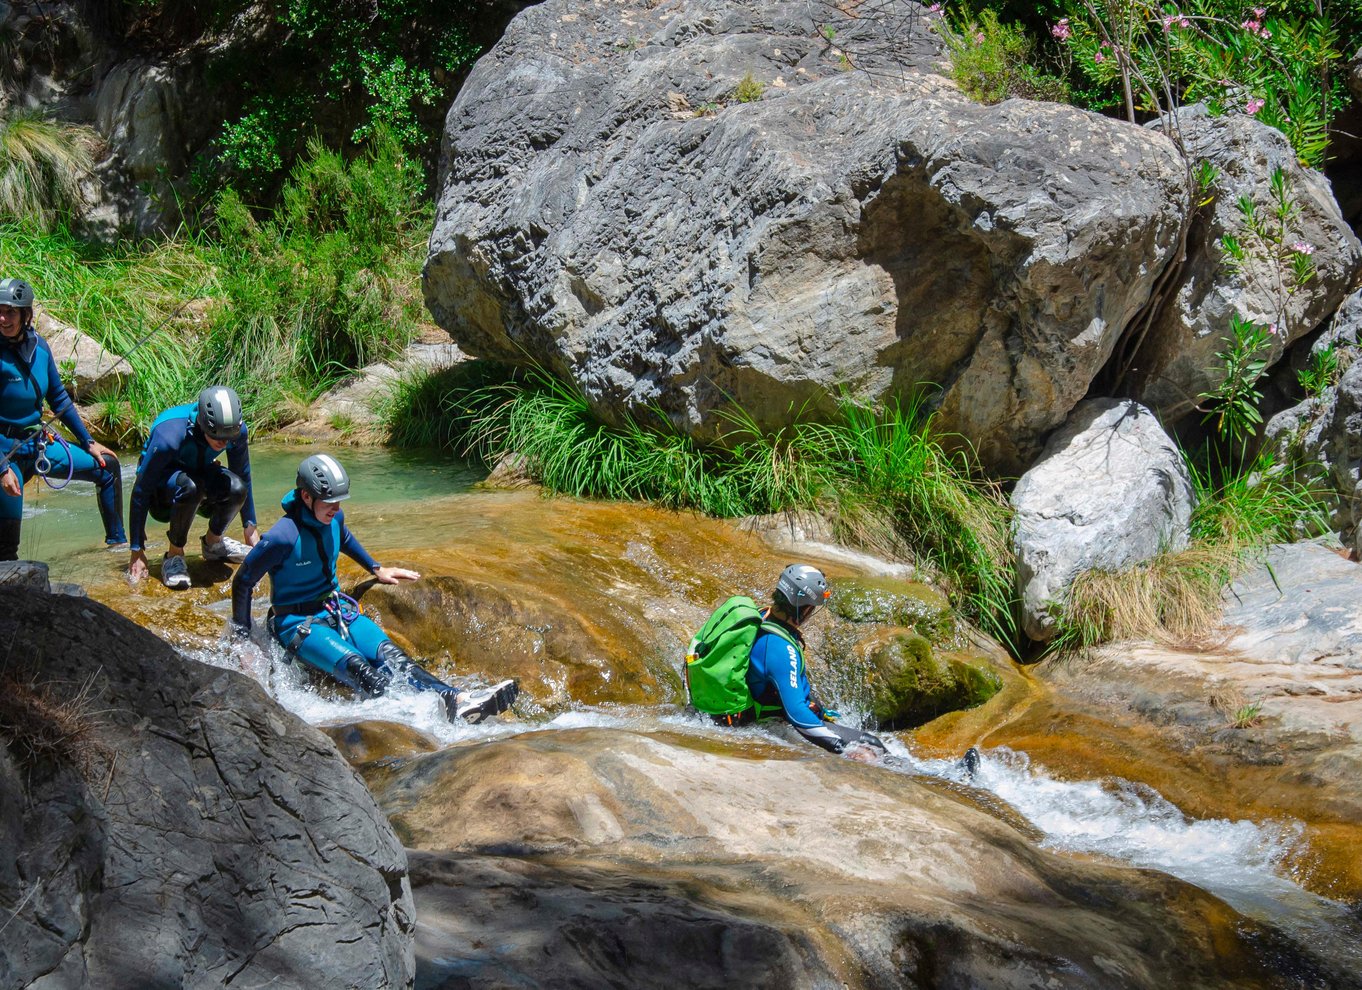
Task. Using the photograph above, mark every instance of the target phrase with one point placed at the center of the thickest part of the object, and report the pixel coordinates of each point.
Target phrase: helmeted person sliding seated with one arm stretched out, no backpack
(310, 616)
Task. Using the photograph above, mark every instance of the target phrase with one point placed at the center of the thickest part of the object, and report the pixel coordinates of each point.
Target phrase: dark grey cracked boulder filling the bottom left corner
(212, 840)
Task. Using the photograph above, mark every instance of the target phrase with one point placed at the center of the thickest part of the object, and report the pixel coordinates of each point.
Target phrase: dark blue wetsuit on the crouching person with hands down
(179, 476)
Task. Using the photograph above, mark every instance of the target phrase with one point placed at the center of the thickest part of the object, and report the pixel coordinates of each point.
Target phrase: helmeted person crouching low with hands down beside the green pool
(179, 477)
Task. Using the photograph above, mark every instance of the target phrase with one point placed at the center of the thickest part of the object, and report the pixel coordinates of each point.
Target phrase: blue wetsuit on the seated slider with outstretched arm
(300, 555)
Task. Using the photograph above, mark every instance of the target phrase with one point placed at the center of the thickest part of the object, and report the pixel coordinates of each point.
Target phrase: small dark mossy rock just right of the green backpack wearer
(912, 684)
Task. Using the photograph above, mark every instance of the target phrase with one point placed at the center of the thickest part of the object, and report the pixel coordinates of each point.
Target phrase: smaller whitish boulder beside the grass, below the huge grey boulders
(1111, 491)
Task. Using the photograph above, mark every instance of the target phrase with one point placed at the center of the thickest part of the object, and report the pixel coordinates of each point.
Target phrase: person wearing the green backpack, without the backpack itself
(776, 668)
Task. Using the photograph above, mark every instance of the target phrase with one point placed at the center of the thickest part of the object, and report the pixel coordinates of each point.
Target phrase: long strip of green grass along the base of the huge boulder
(886, 477)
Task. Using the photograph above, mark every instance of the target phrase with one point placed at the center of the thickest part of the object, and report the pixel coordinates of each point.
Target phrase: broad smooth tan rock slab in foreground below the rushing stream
(830, 871)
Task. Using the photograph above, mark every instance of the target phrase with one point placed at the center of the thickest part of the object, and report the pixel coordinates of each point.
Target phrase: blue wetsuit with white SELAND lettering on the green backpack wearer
(778, 684)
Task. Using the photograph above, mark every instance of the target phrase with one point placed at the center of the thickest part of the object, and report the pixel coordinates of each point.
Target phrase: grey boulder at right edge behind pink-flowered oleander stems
(1177, 360)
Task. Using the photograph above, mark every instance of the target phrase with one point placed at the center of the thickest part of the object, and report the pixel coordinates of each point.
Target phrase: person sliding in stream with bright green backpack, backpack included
(739, 680)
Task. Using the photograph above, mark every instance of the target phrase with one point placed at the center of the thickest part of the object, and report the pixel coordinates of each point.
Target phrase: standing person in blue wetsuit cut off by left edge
(28, 379)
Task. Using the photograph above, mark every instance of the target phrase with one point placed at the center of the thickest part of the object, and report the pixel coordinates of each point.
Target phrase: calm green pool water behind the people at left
(59, 526)
